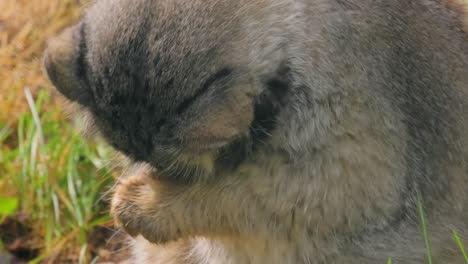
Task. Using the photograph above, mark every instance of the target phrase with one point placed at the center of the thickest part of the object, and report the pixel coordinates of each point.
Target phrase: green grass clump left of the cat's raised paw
(53, 185)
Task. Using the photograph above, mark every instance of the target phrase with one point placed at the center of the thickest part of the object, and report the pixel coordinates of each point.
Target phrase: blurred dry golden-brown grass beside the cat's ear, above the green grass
(25, 26)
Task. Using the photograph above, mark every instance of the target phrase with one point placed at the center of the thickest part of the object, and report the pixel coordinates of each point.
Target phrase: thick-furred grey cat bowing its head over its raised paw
(278, 131)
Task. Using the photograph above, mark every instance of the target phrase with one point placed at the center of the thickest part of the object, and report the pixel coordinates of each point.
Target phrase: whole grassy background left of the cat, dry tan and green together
(53, 184)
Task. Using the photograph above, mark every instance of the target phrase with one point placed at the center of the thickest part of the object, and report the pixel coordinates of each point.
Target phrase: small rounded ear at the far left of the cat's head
(65, 64)
